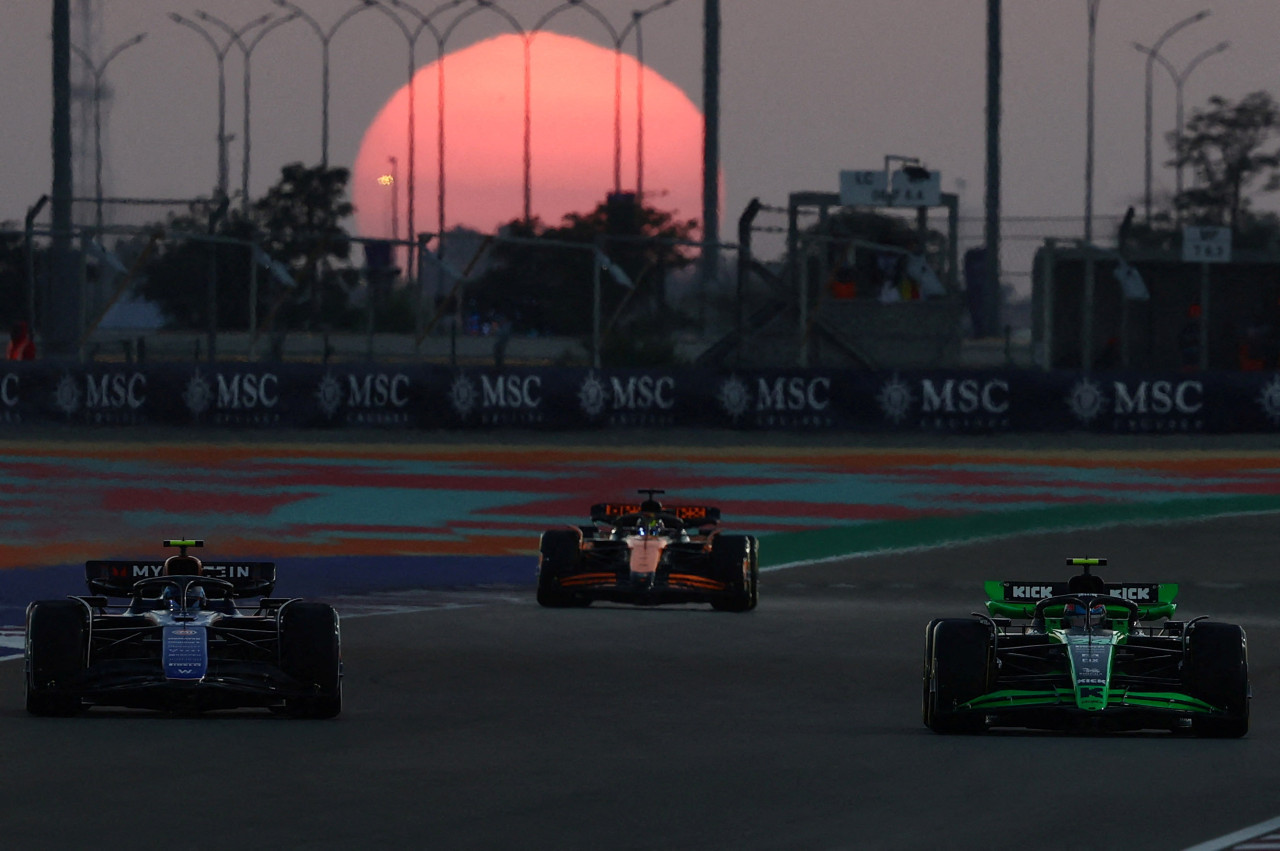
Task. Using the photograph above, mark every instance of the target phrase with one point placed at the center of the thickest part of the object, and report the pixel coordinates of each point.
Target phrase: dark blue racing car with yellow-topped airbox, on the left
(172, 635)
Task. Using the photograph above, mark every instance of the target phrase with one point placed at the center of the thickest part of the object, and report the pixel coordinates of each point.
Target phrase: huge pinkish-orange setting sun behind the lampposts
(573, 102)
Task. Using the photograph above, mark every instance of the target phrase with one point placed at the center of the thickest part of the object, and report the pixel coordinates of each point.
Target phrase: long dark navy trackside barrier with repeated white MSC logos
(291, 396)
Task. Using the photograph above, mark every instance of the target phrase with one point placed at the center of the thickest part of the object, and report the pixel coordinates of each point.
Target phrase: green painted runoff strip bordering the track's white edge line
(787, 548)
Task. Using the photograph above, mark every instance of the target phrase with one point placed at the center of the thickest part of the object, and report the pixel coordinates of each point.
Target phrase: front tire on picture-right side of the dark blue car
(312, 653)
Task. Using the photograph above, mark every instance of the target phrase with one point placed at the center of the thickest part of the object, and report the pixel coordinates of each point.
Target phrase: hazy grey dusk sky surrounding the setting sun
(808, 88)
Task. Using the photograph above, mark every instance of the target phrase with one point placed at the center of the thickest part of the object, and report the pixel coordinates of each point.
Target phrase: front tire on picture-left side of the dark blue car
(56, 652)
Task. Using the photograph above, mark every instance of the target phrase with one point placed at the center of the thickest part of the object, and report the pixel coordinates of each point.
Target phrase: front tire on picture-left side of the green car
(959, 671)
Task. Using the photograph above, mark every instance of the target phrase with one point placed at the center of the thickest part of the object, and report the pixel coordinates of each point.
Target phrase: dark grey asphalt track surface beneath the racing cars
(476, 720)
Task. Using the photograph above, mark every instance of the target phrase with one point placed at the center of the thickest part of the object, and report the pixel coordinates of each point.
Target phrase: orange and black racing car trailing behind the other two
(647, 553)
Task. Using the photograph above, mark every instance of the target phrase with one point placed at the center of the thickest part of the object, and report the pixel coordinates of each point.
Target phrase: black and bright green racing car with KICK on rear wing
(1086, 655)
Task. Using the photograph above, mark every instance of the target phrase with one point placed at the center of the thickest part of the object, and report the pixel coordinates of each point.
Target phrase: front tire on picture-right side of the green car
(1218, 672)
